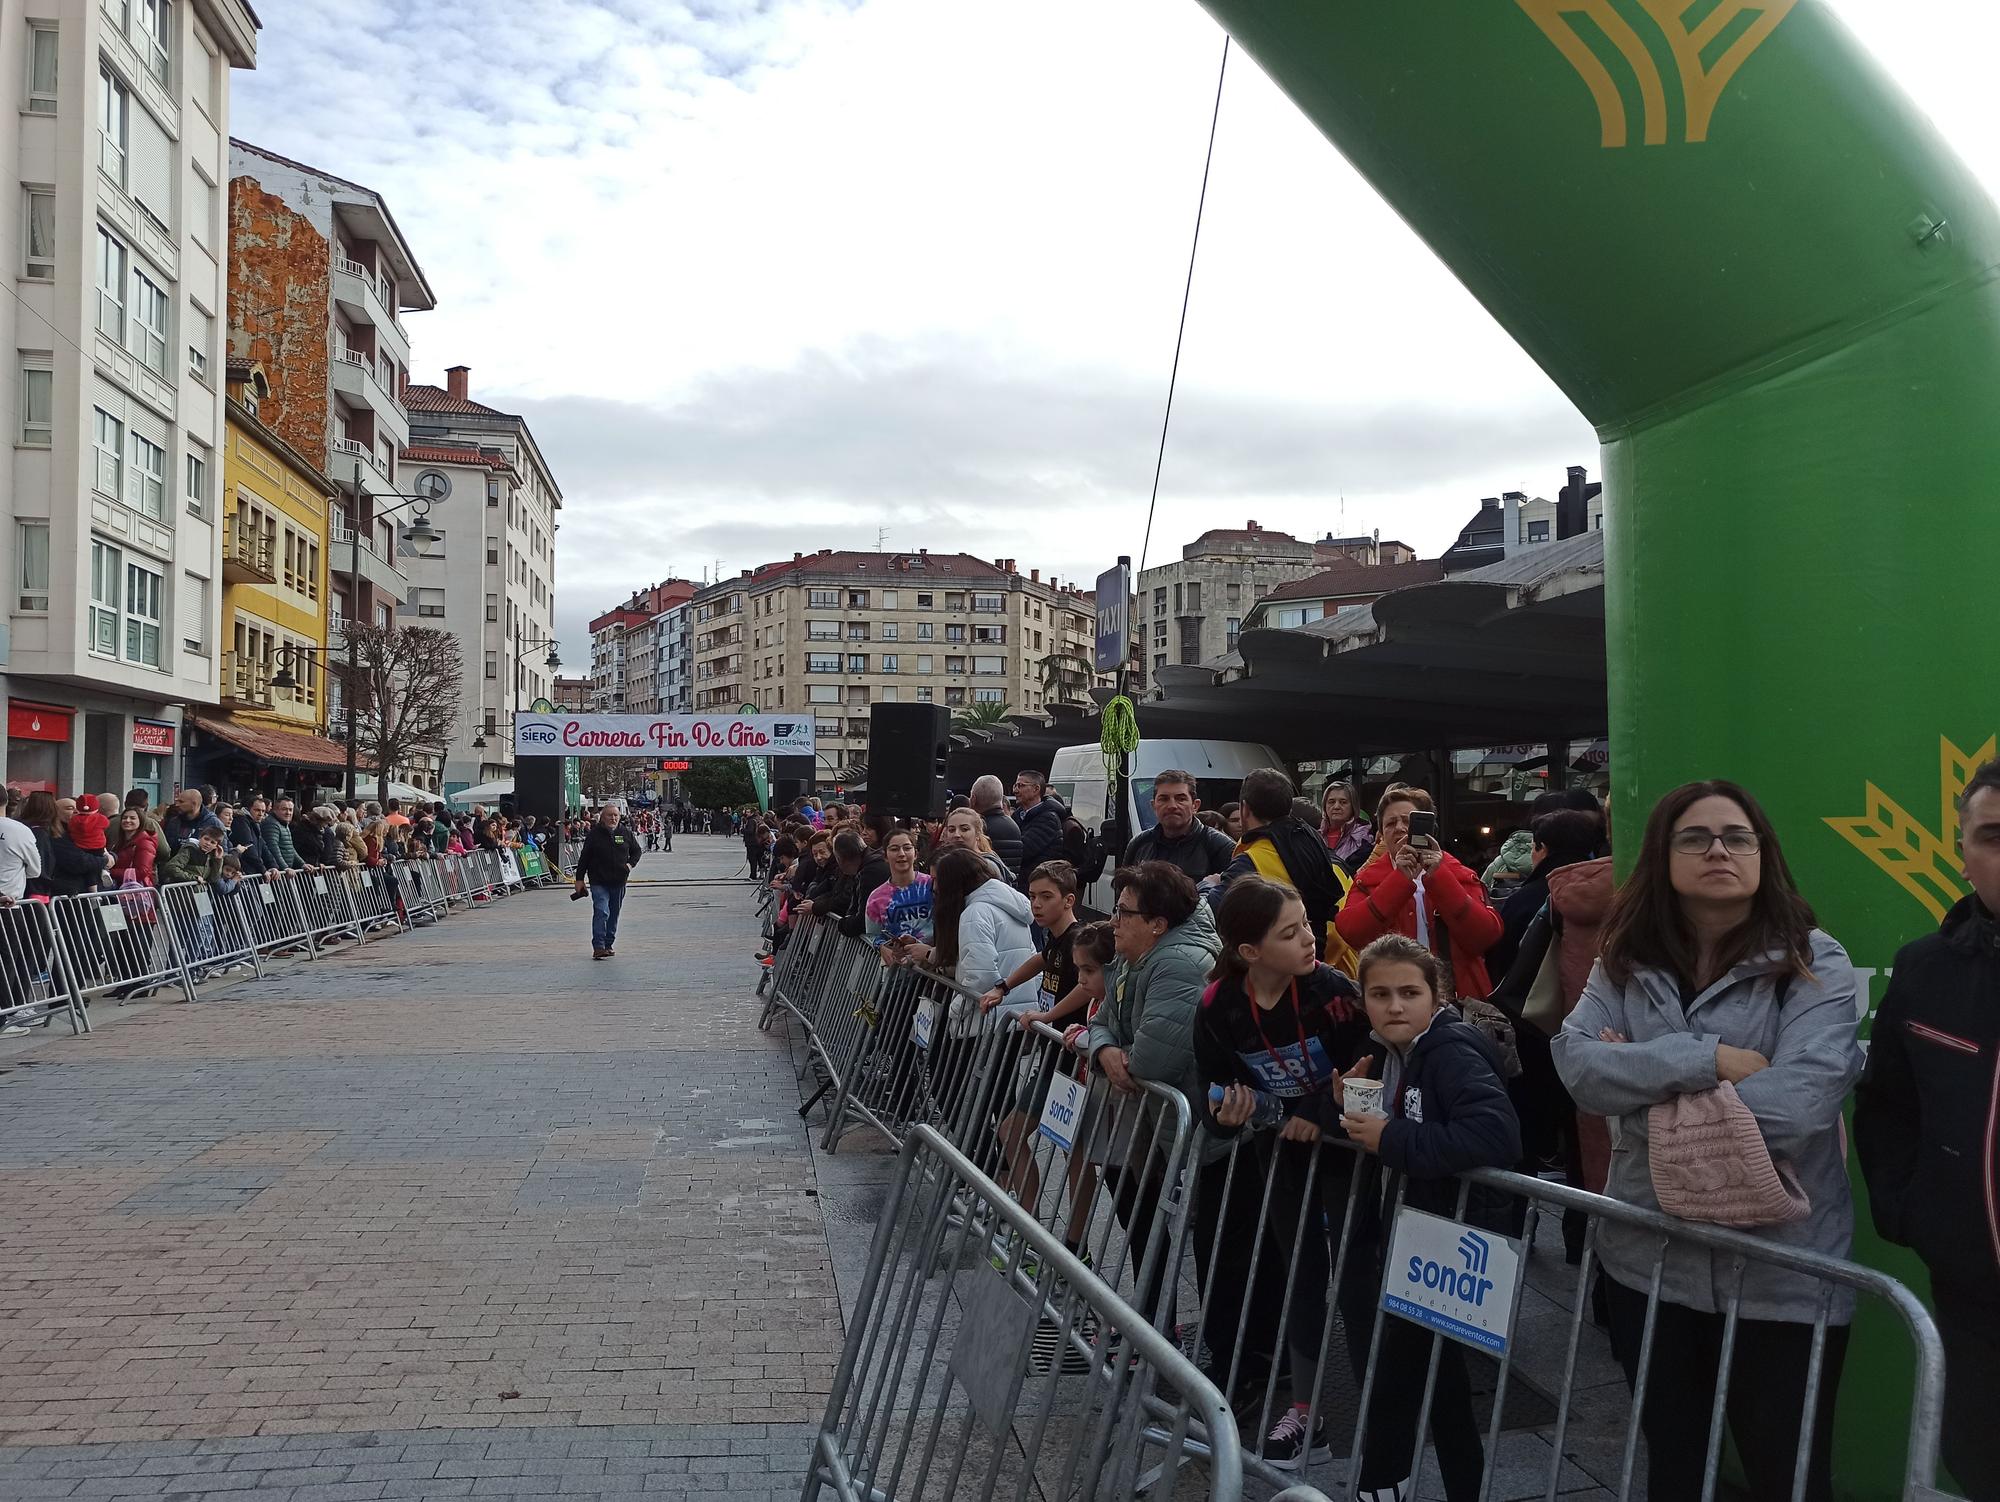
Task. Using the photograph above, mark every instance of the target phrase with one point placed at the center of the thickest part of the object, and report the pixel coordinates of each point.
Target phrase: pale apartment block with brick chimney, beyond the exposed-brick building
(491, 577)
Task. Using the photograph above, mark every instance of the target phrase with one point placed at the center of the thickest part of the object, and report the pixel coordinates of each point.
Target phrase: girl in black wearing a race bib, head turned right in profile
(1281, 1025)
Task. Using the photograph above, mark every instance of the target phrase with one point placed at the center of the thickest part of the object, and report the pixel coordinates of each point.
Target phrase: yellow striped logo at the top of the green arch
(1739, 27)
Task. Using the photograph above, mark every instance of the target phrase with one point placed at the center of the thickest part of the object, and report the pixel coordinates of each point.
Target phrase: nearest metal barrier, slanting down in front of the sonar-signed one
(939, 1391)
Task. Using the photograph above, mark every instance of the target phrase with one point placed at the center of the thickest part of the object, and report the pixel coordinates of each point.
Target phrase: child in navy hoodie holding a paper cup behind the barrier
(1445, 1111)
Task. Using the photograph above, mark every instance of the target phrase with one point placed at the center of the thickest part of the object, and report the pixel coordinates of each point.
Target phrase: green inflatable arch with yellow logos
(1771, 287)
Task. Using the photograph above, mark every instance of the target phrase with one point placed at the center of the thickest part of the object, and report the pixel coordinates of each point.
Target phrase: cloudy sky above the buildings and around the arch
(779, 275)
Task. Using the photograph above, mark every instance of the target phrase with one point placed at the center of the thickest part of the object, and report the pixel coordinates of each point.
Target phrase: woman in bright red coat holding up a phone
(1421, 893)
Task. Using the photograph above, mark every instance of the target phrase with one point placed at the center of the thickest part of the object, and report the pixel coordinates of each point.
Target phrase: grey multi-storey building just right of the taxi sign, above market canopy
(1191, 611)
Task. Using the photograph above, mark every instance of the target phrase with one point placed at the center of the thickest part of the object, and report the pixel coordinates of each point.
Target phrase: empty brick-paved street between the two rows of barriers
(455, 1215)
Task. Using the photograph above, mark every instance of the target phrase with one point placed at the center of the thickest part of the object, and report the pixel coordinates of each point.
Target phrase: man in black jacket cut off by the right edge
(1925, 1133)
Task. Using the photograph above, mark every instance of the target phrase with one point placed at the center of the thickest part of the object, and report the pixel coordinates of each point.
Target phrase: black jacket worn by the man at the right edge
(1925, 1109)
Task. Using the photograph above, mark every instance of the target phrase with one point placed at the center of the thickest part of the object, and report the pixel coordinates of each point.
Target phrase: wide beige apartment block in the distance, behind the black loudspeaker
(837, 633)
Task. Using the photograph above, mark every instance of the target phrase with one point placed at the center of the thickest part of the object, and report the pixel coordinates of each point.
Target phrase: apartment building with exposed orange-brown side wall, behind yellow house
(319, 279)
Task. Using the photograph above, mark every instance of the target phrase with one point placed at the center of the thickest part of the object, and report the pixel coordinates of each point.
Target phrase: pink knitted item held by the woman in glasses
(1709, 1163)
